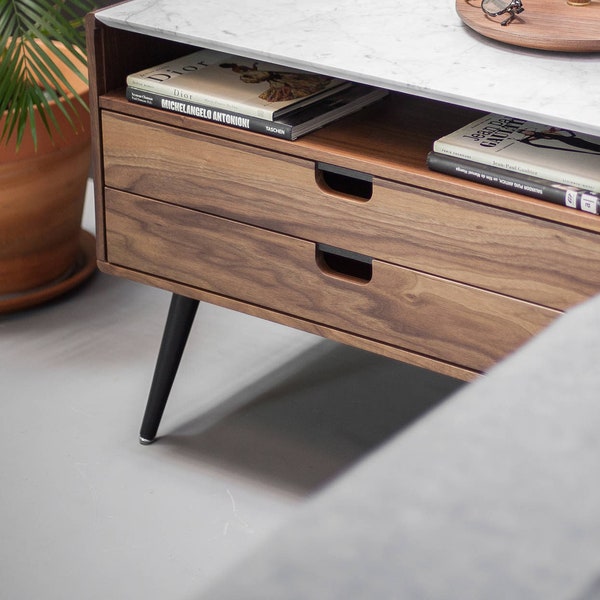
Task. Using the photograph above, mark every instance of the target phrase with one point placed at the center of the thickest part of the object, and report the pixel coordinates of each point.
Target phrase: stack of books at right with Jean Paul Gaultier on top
(550, 163)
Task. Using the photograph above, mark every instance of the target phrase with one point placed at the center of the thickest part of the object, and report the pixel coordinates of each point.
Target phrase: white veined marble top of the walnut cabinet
(420, 47)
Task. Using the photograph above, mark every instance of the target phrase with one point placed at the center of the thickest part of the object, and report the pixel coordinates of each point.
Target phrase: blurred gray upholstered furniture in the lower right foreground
(493, 495)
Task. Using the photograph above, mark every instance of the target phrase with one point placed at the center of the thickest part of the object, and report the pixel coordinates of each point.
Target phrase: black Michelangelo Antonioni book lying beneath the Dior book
(294, 124)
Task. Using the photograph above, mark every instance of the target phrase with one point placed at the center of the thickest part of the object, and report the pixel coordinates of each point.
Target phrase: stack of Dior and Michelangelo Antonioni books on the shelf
(248, 94)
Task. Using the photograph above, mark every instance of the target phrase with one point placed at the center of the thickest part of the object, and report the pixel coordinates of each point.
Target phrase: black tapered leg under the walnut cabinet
(177, 328)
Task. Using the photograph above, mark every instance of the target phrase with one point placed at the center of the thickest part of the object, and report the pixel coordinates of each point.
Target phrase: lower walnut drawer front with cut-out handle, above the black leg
(456, 323)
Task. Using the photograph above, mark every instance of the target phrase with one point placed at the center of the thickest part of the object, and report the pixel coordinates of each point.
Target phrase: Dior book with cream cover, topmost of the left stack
(234, 83)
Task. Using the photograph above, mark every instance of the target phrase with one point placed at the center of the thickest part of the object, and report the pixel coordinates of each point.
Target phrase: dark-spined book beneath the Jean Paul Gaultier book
(528, 185)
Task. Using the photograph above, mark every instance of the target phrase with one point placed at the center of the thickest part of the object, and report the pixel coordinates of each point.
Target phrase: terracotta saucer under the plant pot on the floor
(83, 268)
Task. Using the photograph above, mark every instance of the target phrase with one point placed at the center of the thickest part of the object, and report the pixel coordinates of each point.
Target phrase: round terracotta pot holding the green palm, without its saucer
(41, 200)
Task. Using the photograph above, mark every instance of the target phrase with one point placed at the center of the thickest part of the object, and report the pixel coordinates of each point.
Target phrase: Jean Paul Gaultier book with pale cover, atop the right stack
(551, 153)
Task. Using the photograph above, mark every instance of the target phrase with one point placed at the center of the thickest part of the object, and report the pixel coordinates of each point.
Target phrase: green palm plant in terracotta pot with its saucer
(44, 149)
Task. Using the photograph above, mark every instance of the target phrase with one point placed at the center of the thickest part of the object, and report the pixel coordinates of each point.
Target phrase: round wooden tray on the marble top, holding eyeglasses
(544, 24)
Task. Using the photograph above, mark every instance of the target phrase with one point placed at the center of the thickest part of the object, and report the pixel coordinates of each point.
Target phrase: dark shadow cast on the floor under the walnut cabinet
(311, 419)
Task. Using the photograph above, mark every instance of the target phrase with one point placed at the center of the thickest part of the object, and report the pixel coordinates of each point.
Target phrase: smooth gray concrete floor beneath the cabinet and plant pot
(260, 417)
